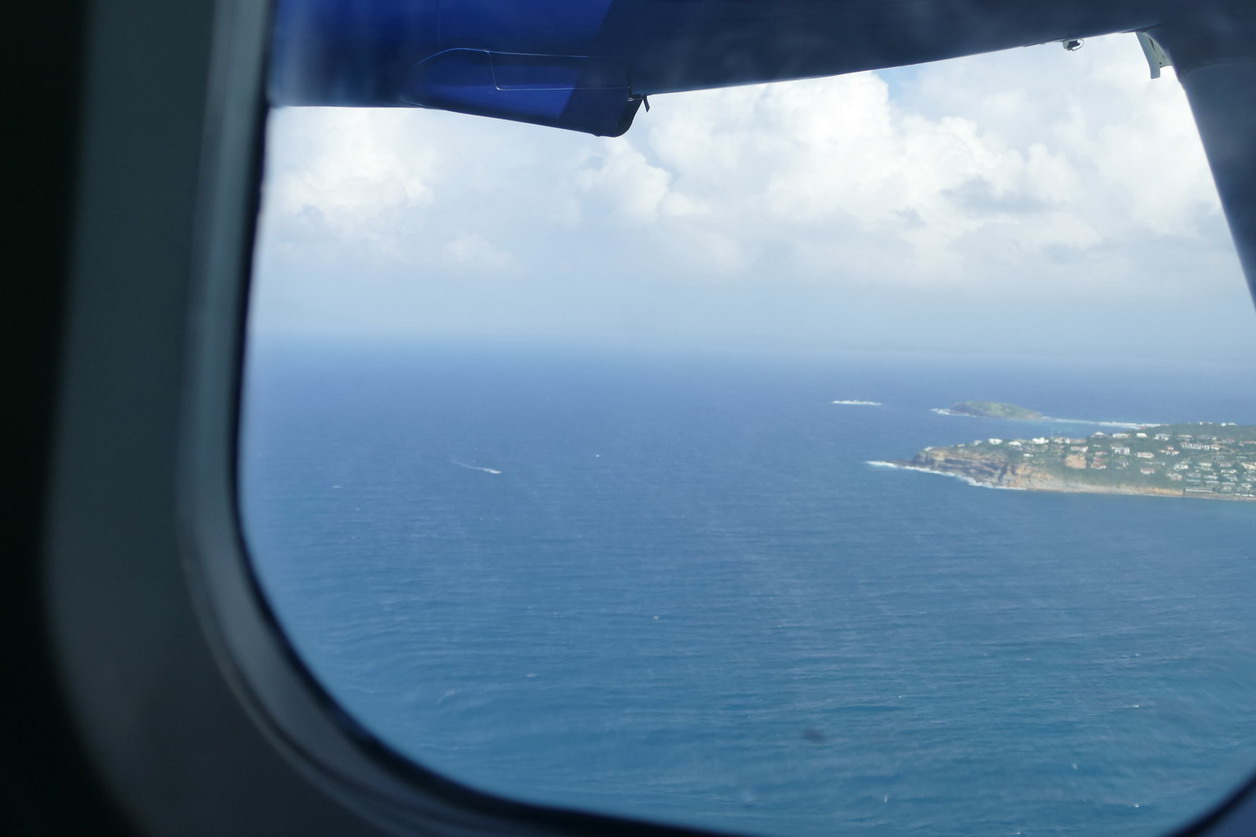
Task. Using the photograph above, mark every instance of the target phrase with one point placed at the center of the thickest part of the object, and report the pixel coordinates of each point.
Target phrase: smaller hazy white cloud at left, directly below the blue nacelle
(405, 188)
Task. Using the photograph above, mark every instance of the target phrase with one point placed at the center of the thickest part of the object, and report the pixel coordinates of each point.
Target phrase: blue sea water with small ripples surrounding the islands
(676, 589)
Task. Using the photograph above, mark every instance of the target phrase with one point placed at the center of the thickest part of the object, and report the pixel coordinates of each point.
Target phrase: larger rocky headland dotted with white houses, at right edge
(1200, 461)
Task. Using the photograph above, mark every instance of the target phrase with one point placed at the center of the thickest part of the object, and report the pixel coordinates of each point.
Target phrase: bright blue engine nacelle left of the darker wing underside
(528, 62)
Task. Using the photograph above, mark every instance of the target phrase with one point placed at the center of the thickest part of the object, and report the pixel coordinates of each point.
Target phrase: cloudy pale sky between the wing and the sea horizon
(1034, 202)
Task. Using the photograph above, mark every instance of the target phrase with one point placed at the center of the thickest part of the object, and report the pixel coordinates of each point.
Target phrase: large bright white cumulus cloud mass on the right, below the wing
(1023, 154)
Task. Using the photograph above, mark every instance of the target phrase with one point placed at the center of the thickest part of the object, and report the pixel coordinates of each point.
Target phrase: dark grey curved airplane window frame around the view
(189, 697)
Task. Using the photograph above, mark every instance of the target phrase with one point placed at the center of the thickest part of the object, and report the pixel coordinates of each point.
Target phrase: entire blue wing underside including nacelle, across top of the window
(587, 65)
